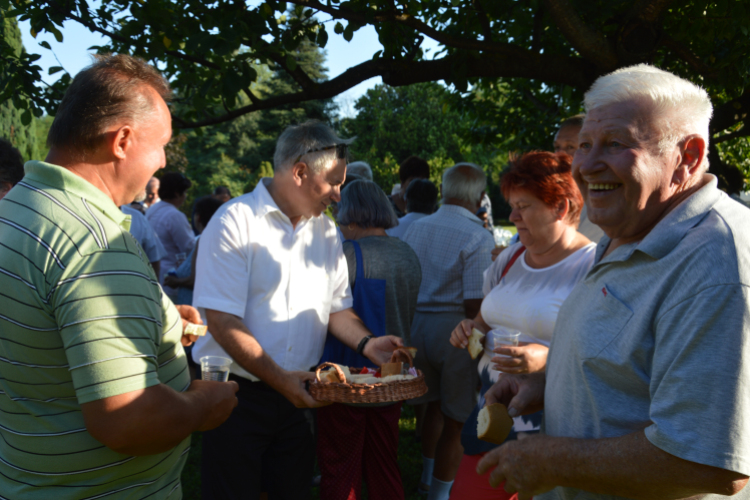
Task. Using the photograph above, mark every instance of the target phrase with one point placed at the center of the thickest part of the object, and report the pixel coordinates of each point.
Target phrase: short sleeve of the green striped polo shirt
(109, 313)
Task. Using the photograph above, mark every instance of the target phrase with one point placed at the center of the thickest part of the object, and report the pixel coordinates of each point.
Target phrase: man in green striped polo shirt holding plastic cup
(95, 395)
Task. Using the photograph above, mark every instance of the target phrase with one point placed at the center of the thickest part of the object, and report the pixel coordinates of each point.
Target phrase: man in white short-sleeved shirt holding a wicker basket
(271, 280)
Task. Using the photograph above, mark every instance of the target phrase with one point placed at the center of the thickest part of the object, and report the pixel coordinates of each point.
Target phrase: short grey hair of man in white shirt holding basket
(297, 140)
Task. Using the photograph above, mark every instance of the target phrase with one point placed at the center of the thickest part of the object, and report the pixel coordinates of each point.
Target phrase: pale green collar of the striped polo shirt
(63, 179)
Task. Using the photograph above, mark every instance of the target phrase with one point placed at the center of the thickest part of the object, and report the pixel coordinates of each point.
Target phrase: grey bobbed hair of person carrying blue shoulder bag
(363, 203)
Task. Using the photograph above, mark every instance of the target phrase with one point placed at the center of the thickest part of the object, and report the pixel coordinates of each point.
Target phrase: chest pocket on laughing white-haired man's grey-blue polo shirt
(606, 318)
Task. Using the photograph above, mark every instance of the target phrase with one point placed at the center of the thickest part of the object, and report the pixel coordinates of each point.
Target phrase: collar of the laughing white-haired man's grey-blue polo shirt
(669, 231)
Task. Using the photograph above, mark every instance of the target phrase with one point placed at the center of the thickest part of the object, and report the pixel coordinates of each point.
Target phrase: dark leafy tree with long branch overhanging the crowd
(529, 58)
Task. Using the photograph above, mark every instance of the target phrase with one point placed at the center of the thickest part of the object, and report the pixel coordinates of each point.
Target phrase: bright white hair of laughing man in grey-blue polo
(682, 107)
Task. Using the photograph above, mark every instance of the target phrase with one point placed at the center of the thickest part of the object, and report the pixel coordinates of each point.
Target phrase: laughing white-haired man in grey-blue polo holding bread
(646, 389)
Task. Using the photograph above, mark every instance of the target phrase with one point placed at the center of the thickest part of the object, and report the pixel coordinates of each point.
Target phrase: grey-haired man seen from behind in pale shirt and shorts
(454, 250)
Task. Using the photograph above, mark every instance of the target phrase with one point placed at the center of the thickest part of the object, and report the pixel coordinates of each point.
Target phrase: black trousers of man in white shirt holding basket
(266, 445)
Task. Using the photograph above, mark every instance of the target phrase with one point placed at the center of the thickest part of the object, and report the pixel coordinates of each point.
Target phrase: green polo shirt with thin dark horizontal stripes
(82, 317)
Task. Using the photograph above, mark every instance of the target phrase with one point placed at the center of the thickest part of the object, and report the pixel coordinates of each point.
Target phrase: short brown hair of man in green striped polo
(112, 88)
